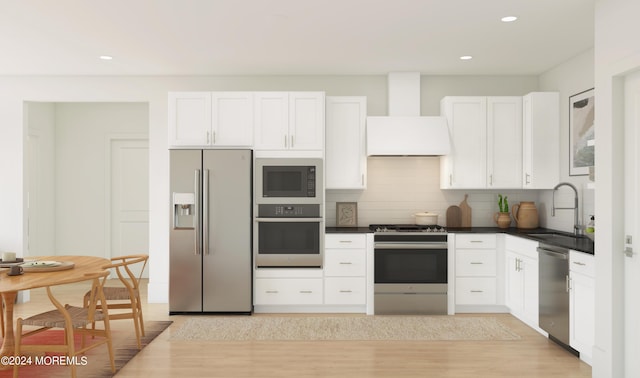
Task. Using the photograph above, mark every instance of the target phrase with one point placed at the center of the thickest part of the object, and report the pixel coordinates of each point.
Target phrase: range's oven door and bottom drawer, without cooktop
(410, 278)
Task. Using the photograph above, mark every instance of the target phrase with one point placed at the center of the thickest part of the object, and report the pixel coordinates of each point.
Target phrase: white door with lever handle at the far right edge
(632, 205)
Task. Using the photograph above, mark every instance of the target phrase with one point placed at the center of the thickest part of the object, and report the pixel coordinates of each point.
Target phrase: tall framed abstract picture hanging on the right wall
(581, 133)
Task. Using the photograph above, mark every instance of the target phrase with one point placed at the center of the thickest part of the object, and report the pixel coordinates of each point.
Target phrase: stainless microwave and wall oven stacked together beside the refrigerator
(288, 213)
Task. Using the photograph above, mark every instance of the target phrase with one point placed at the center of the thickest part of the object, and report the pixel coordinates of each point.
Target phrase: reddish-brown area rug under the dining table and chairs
(96, 364)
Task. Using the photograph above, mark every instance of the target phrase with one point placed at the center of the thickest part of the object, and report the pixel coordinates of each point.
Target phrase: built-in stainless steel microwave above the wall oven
(289, 180)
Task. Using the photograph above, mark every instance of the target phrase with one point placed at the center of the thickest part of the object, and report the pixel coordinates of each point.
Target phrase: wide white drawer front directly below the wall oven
(288, 291)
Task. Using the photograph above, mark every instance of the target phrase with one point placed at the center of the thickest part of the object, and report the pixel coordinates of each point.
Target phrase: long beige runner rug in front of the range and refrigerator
(377, 327)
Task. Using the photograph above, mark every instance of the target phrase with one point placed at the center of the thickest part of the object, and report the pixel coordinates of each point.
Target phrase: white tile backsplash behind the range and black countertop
(398, 187)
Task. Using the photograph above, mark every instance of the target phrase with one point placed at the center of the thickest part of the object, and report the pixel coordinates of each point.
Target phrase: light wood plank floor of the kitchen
(532, 356)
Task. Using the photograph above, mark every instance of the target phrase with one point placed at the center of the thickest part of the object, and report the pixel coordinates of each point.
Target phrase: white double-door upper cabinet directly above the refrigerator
(210, 119)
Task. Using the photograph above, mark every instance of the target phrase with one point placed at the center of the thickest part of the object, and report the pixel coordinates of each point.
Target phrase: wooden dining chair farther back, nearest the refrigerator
(126, 296)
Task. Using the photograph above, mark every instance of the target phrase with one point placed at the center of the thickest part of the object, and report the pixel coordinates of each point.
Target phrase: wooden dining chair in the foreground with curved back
(73, 320)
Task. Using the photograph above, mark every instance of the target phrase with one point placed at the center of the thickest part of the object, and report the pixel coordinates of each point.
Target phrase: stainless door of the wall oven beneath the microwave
(289, 242)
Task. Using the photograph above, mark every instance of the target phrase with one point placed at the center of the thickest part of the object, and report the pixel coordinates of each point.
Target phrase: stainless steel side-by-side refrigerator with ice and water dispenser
(210, 233)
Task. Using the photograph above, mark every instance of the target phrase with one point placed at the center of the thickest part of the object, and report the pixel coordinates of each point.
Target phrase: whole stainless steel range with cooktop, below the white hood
(410, 270)
